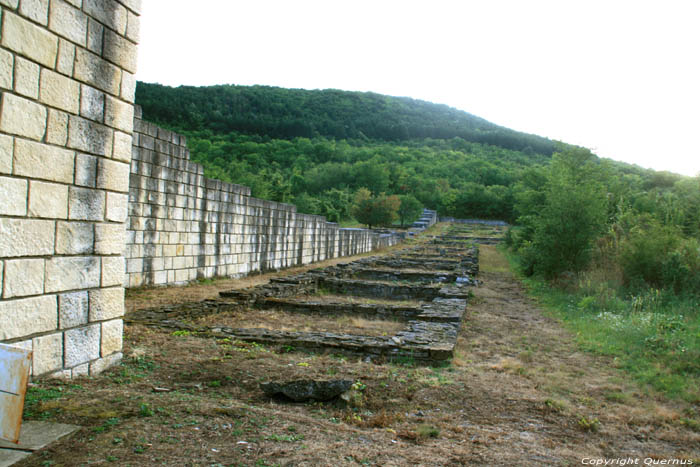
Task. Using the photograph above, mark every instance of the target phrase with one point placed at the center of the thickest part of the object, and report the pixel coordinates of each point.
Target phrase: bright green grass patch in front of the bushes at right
(654, 336)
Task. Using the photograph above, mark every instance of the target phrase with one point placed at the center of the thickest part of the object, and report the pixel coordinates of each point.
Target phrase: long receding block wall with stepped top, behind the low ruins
(183, 226)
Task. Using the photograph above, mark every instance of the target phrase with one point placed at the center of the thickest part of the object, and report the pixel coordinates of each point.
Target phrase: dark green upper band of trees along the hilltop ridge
(289, 113)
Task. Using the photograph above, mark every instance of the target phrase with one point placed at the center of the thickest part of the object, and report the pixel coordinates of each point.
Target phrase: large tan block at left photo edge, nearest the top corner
(29, 40)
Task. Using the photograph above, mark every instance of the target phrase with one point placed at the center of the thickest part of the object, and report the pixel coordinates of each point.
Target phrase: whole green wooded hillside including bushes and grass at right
(620, 243)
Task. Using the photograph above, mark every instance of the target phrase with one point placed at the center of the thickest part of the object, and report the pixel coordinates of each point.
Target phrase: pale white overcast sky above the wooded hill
(619, 77)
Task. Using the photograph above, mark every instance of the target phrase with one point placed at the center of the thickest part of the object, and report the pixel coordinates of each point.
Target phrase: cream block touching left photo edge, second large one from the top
(22, 117)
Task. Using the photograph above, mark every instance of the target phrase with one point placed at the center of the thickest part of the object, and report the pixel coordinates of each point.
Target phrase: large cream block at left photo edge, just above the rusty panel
(27, 316)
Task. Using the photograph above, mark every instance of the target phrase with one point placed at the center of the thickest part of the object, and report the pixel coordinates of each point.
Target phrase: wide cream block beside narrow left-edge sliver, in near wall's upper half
(32, 160)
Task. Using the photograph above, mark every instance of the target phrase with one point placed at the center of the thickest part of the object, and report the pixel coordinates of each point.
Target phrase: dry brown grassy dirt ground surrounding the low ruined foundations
(517, 393)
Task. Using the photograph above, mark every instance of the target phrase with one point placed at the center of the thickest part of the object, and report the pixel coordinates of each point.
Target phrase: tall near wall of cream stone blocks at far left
(66, 119)
